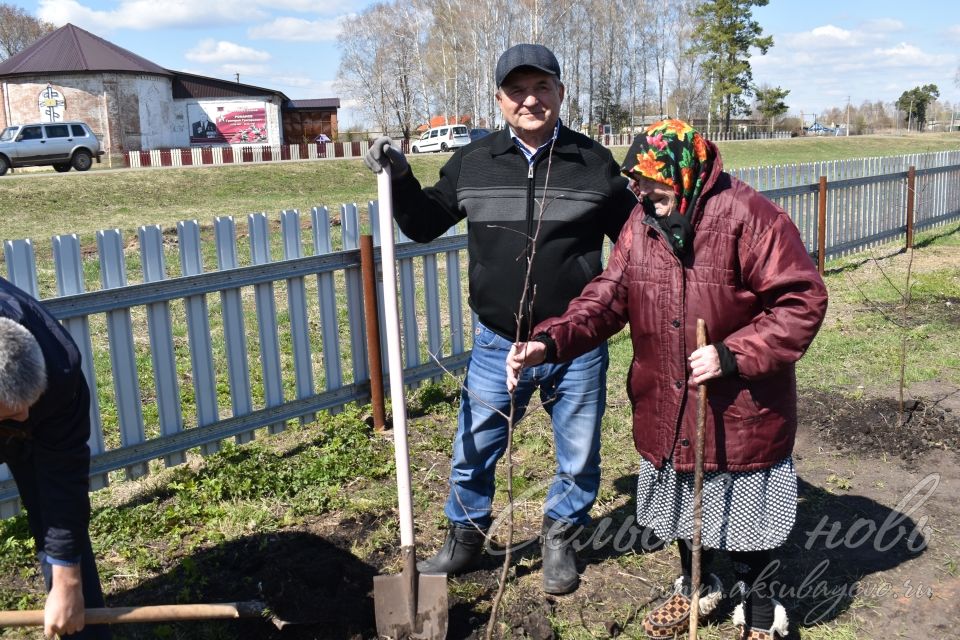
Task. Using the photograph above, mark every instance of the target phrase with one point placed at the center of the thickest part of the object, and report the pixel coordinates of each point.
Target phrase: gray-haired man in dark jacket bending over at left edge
(44, 428)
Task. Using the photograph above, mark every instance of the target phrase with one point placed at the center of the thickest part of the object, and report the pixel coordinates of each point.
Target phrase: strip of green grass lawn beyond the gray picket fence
(39, 207)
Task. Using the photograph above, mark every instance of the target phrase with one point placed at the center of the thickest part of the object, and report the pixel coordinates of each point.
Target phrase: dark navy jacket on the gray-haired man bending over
(50, 458)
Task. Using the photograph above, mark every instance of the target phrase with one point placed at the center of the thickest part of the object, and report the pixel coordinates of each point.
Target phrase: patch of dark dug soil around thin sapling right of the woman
(875, 426)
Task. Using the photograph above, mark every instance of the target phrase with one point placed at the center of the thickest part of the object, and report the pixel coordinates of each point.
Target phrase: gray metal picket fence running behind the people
(212, 341)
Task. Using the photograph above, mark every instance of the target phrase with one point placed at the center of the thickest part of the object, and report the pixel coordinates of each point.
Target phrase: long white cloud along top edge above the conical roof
(149, 14)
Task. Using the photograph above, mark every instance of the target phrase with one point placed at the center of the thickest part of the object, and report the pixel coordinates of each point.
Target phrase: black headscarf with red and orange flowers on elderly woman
(674, 153)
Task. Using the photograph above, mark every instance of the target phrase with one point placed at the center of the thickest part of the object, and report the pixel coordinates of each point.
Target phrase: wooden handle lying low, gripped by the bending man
(155, 613)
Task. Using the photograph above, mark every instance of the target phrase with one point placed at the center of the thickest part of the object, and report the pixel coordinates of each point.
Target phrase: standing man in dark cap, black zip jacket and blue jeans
(534, 193)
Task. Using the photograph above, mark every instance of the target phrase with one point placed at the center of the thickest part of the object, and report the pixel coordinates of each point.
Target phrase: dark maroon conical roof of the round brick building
(70, 48)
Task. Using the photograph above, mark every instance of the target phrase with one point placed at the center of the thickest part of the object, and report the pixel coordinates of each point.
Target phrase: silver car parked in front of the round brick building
(61, 144)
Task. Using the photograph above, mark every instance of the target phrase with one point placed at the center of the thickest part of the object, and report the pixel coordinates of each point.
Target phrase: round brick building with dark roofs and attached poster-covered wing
(133, 104)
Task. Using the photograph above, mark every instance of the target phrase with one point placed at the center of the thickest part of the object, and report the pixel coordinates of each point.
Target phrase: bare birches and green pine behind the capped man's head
(405, 61)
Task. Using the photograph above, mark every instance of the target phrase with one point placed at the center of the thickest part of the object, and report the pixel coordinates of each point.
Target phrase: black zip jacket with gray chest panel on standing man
(490, 183)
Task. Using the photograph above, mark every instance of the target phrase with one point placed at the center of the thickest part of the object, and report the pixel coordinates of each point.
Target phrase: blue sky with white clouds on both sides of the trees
(824, 51)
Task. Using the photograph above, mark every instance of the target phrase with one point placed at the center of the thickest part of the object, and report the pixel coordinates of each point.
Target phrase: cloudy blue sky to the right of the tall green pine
(826, 52)
